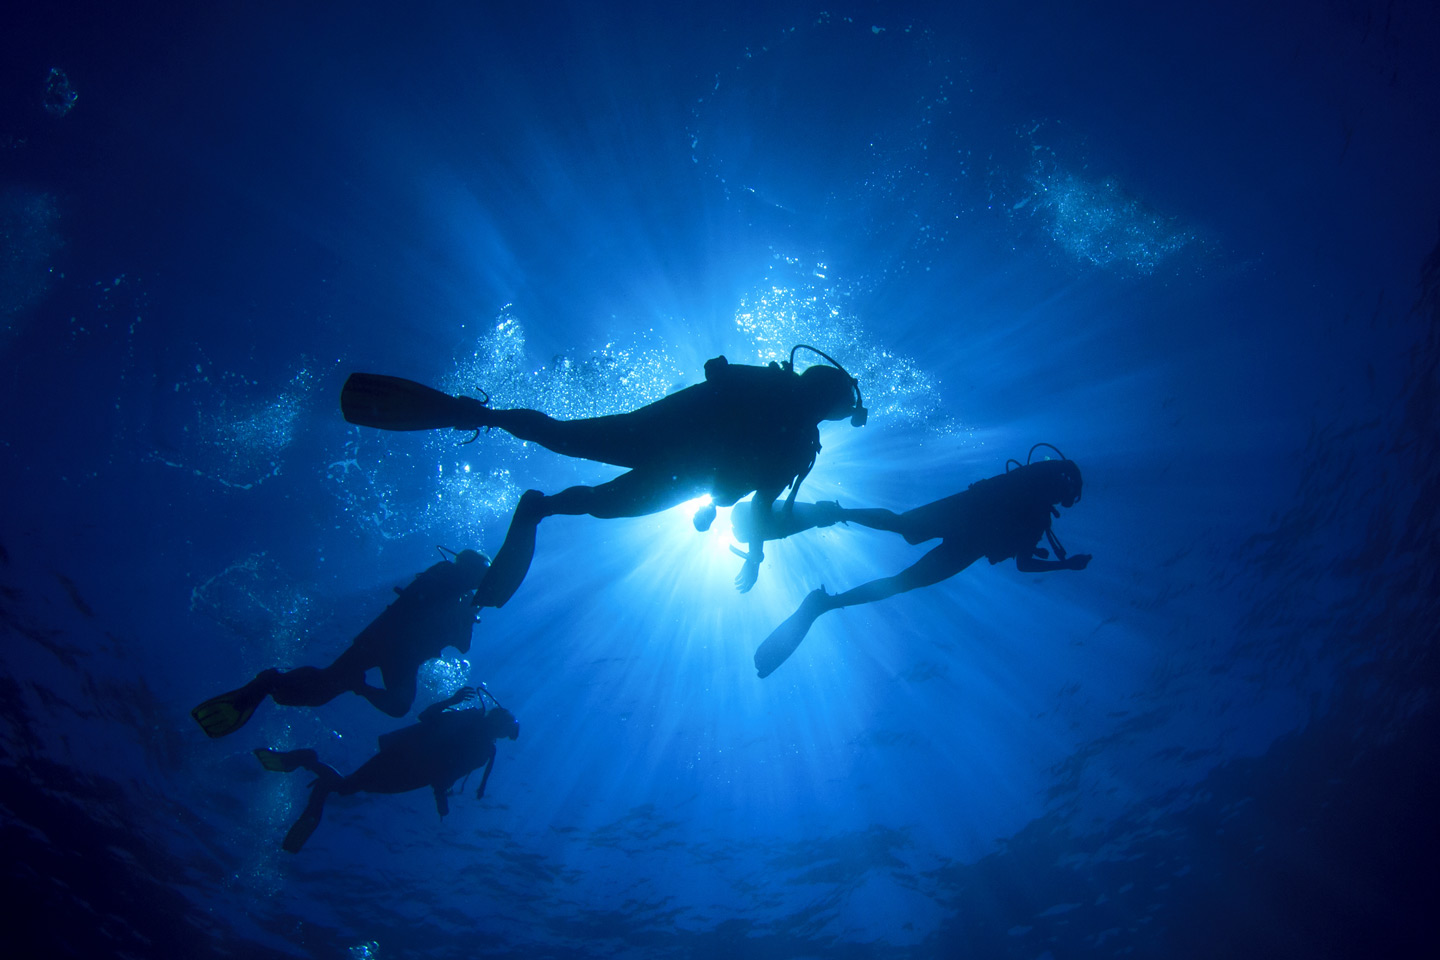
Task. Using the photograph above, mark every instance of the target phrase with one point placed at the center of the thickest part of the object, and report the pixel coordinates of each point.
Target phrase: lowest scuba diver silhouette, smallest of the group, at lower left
(446, 746)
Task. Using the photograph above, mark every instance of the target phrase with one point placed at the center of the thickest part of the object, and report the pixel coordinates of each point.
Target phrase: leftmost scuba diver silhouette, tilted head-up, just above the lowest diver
(427, 617)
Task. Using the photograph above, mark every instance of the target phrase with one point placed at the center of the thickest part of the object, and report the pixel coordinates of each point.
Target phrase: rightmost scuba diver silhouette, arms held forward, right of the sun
(997, 519)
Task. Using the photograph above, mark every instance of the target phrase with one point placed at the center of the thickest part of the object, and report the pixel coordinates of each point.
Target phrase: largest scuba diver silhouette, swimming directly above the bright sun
(745, 430)
